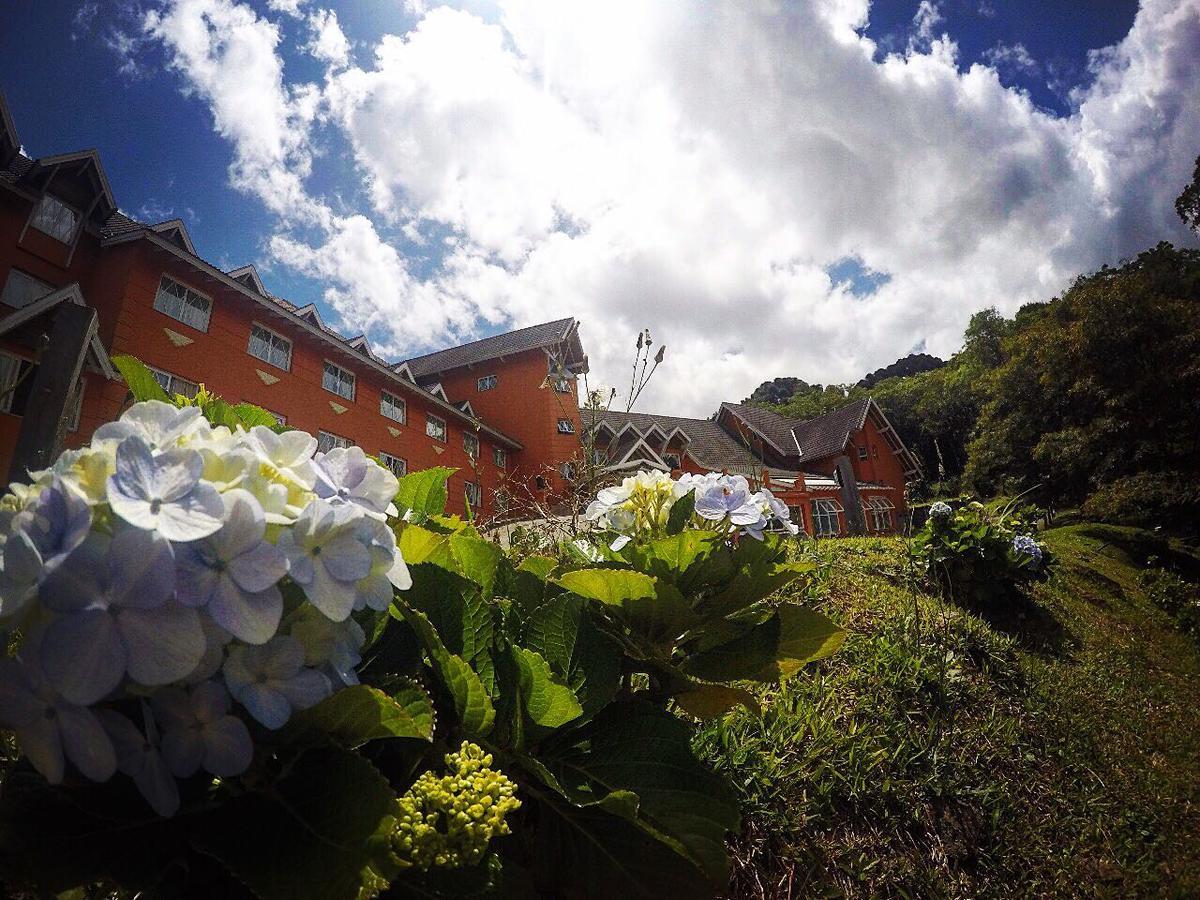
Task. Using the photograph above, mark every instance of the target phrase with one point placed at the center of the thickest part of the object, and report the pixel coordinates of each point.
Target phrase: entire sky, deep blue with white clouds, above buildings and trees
(495, 202)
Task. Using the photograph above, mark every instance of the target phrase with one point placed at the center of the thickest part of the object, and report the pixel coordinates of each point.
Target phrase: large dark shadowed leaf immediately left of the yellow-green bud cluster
(320, 833)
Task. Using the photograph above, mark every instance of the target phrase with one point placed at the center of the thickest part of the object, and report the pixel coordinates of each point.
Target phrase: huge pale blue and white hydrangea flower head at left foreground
(145, 575)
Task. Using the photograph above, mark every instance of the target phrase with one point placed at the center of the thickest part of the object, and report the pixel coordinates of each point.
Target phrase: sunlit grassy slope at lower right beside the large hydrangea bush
(1047, 752)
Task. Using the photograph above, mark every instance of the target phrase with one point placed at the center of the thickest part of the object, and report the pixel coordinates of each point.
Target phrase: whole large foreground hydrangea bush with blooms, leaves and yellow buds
(238, 665)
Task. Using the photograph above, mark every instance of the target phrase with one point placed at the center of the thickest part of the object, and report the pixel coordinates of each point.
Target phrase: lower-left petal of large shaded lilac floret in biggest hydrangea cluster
(83, 656)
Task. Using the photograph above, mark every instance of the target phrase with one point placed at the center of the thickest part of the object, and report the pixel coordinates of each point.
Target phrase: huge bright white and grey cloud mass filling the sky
(695, 169)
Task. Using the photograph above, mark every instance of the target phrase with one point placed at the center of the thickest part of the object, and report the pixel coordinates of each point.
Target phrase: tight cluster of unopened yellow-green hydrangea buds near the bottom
(449, 820)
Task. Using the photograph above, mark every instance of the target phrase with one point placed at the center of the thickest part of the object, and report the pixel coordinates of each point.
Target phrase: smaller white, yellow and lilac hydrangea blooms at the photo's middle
(641, 506)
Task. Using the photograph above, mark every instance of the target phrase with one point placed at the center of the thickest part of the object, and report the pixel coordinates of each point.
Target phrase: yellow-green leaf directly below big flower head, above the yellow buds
(358, 715)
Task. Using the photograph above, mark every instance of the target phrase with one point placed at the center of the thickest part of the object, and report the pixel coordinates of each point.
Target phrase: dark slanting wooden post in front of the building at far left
(45, 423)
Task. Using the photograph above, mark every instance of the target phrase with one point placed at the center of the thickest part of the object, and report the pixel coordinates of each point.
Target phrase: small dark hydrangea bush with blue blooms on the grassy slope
(979, 555)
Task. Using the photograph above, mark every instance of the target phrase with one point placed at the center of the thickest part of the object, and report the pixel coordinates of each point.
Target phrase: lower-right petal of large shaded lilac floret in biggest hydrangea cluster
(165, 645)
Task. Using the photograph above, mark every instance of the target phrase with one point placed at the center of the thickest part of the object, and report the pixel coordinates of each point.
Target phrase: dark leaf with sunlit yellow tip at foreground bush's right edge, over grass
(776, 650)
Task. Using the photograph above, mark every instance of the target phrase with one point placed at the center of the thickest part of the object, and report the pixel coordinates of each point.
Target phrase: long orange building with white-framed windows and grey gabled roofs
(502, 412)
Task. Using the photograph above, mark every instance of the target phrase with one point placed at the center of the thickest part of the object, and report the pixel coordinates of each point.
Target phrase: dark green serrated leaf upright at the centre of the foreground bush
(563, 633)
